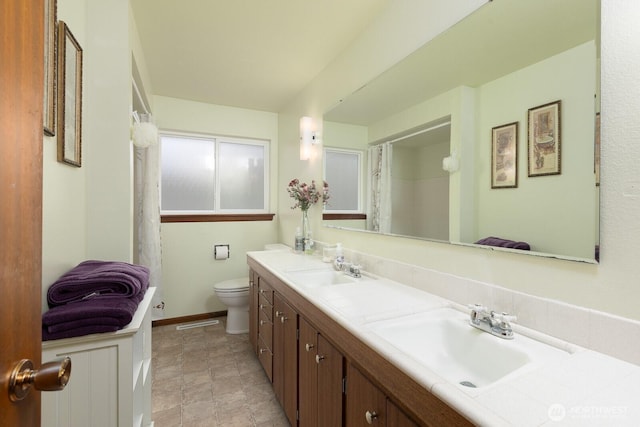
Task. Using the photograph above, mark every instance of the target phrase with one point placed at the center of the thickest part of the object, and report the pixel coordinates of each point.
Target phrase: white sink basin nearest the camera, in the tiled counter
(443, 341)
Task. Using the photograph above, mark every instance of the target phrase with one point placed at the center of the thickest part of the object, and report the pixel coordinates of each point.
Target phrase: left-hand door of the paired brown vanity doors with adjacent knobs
(307, 375)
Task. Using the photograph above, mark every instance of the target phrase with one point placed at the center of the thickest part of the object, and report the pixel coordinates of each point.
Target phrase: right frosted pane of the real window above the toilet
(242, 176)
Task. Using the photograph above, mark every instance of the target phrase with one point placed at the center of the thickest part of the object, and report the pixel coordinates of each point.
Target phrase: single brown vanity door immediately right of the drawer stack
(285, 357)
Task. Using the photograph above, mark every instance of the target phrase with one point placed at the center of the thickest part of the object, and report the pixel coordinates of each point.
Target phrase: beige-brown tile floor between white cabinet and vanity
(204, 377)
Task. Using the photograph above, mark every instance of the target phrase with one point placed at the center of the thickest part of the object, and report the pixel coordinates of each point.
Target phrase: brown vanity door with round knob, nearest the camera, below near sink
(365, 403)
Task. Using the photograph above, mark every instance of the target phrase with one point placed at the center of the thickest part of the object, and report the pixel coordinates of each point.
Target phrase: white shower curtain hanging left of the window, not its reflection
(147, 202)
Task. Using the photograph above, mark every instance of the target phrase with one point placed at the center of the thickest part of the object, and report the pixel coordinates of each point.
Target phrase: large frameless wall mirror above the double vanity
(433, 156)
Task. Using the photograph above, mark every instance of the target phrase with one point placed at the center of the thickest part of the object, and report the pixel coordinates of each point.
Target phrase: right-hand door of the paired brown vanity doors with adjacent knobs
(330, 383)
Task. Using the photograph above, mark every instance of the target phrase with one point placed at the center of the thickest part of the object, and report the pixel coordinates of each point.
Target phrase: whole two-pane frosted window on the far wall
(208, 175)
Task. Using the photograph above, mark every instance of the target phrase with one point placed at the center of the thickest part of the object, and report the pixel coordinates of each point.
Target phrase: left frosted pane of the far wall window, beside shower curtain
(188, 174)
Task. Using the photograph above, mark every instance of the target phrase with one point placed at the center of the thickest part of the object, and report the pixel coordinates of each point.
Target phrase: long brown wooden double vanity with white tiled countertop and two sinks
(361, 349)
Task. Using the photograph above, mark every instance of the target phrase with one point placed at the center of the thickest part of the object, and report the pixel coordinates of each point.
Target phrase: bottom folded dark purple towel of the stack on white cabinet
(89, 317)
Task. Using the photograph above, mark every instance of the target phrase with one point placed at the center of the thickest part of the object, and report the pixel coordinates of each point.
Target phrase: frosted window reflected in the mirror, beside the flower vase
(343, 173)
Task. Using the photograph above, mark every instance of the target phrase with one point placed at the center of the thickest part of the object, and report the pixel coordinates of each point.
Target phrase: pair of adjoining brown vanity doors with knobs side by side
(320, 379)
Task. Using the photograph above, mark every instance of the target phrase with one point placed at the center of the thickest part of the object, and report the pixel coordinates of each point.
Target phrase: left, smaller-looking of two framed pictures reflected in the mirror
(504, 156)
